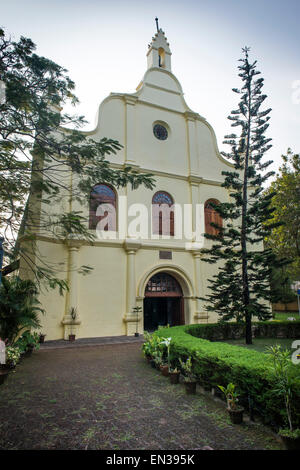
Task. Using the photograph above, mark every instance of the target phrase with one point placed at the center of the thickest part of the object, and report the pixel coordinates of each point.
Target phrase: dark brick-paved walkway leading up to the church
(107, 397)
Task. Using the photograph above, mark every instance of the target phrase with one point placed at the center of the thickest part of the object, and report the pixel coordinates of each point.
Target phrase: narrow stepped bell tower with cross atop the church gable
(159, 54)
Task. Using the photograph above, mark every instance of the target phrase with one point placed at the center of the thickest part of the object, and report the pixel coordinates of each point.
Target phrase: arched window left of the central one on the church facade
(103, 208)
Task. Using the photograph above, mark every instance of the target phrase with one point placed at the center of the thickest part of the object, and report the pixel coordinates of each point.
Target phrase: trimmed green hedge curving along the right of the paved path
(218, 363)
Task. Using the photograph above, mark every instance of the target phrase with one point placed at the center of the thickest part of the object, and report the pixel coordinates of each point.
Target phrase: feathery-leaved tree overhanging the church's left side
(41, 151)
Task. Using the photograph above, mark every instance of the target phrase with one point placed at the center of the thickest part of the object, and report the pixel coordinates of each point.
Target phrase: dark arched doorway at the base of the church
(163, 302)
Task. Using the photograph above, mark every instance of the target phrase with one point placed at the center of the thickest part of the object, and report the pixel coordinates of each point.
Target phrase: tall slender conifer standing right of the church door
(241, 289)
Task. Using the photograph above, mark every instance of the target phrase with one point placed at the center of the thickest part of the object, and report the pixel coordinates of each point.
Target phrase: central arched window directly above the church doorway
(162, 214)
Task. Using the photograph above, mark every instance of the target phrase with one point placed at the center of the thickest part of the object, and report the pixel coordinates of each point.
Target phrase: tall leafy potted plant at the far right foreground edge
(282, 368)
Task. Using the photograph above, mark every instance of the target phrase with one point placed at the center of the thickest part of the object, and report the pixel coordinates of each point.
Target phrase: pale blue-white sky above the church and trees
(103, 44)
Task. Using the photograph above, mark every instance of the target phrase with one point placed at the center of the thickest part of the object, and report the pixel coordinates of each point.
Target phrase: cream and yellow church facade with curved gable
(157, 269)
